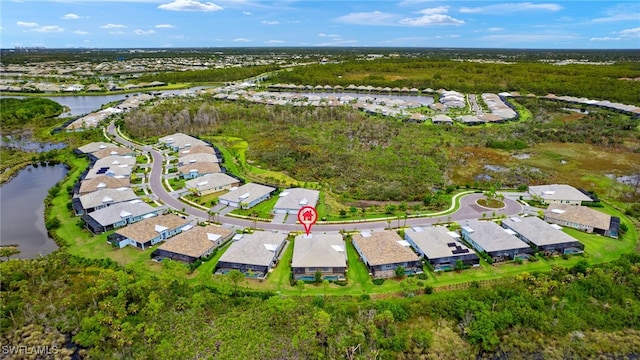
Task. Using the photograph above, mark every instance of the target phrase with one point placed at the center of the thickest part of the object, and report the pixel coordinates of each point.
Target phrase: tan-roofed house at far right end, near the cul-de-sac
(583, 218)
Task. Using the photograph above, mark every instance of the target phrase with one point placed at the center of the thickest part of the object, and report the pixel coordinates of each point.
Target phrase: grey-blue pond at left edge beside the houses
(22, 210)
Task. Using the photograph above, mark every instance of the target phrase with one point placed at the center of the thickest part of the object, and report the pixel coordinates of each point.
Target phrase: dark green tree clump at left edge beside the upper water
(21, 113)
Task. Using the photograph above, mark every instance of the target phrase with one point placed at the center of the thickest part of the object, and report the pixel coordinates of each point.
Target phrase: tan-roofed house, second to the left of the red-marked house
(193, 244)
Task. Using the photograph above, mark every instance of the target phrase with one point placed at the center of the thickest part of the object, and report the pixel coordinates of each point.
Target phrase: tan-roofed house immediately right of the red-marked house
(384, 251)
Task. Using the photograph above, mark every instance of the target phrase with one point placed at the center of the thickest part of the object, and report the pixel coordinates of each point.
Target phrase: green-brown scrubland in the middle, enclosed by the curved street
(373, 158)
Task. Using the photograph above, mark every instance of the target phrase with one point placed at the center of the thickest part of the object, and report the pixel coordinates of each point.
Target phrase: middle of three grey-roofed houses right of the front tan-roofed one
(488, 237)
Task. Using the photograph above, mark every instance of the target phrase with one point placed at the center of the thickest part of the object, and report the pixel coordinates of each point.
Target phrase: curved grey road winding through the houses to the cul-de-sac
(468, 208)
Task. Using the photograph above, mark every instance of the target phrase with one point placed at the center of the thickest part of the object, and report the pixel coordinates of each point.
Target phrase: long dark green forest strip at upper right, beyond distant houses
(594, 82)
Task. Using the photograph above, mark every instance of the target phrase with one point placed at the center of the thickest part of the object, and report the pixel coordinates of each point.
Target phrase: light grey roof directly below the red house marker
(319, 250)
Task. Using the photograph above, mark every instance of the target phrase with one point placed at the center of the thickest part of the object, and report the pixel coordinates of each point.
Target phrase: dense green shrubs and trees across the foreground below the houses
(101, 310)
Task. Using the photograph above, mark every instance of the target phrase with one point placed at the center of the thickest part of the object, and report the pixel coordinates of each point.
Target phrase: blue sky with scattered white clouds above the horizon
(251, 23)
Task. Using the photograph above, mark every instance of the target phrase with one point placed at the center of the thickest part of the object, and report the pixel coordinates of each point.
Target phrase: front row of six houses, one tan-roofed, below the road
(384, 252)
